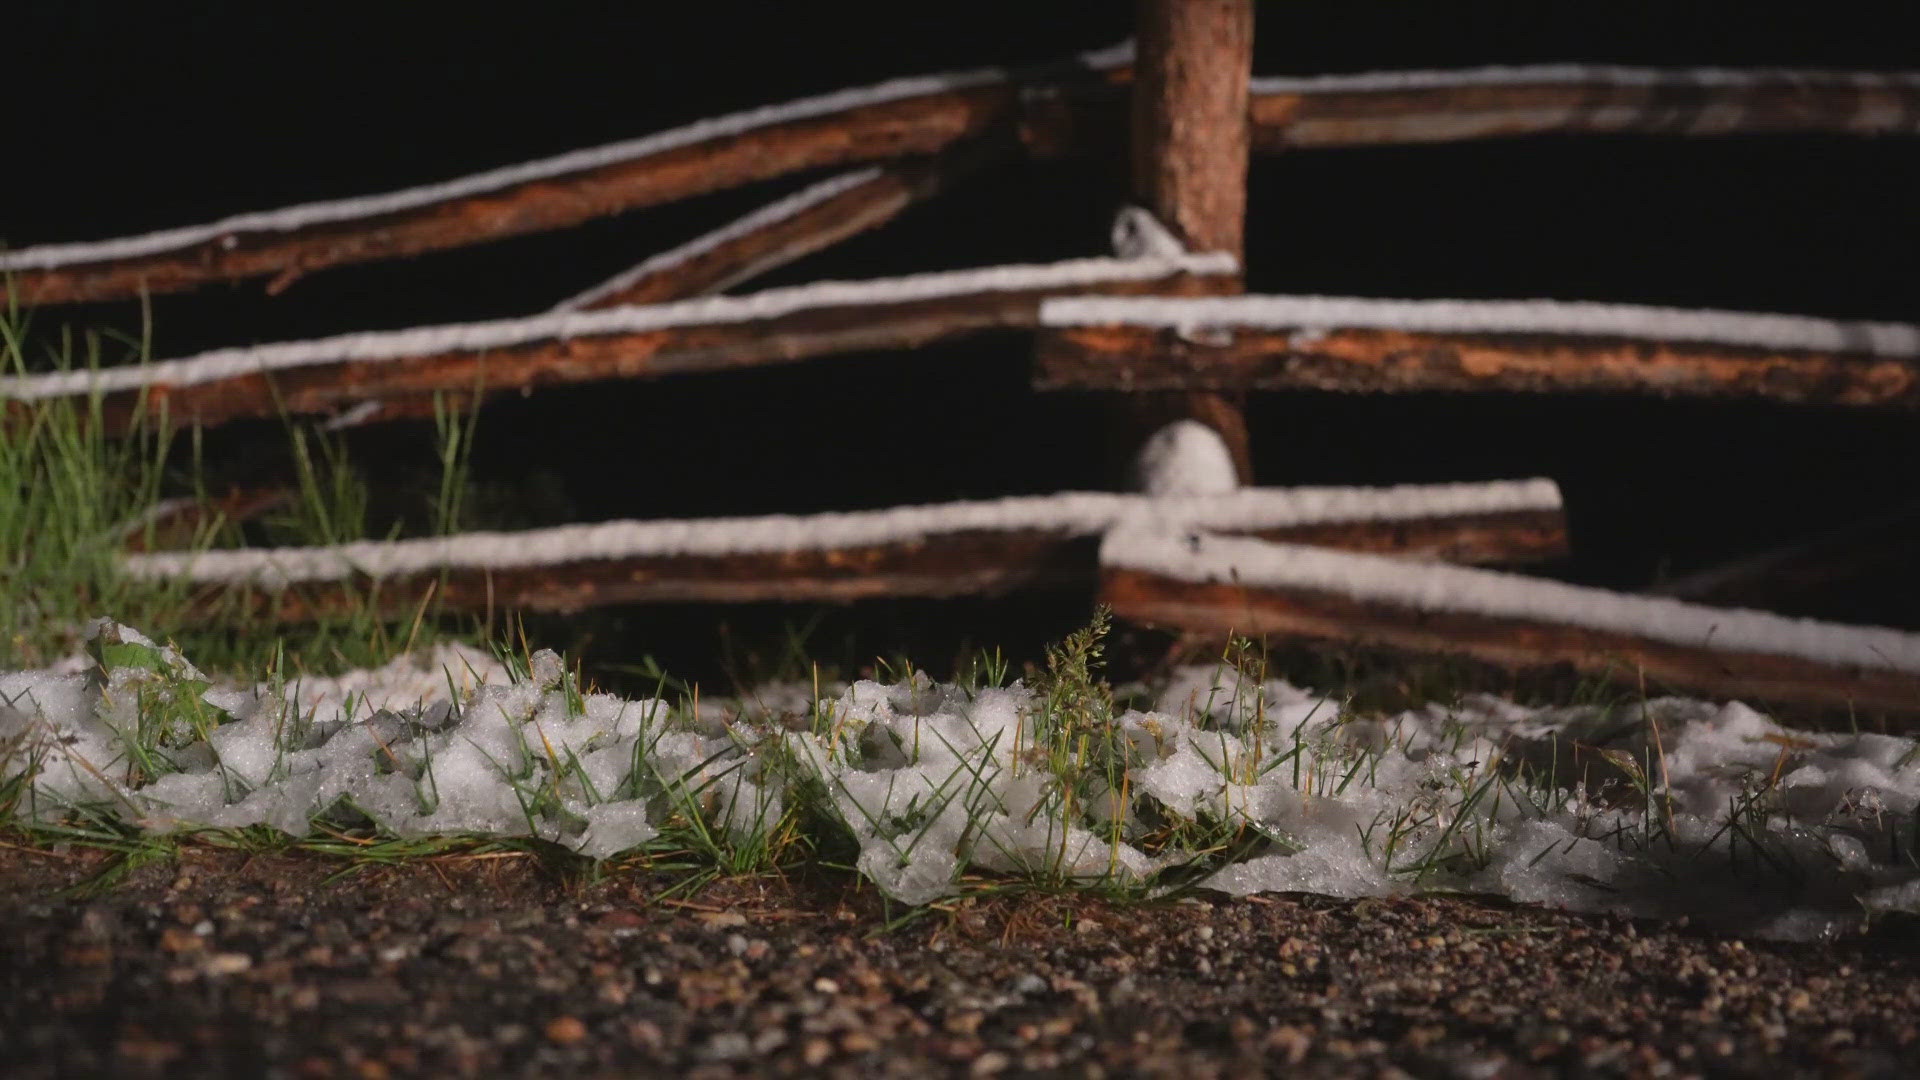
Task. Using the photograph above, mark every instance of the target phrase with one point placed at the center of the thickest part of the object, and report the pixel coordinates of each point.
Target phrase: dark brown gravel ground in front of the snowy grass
(483, 968)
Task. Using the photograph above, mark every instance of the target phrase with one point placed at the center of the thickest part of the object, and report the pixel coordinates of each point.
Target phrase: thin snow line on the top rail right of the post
(1577, 76)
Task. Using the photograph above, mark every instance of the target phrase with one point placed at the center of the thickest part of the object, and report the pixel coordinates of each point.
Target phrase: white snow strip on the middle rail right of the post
(1491, 318)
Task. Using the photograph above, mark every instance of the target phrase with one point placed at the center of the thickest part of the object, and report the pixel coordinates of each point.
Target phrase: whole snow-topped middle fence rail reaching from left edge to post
(775, 326)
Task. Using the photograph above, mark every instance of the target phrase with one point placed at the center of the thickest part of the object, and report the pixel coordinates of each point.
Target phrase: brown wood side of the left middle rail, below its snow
(406, 387)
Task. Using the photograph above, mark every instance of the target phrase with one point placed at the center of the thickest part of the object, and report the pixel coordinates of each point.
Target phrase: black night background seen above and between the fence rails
(126, 118)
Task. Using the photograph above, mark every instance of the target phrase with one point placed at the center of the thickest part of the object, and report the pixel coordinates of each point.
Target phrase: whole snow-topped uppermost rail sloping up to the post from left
(892, 120)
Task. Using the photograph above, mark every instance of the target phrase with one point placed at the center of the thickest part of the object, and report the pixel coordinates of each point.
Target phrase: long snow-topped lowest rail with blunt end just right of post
(928, 551)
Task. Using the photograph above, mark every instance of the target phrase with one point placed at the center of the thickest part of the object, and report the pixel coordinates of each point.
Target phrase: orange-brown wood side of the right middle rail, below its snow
(1149, 358)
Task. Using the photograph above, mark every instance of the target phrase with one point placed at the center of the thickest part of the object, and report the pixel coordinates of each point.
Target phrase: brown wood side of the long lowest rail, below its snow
(955, 564)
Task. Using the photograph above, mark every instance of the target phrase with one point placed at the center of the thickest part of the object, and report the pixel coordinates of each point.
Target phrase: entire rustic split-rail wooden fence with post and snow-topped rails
(1163, 320)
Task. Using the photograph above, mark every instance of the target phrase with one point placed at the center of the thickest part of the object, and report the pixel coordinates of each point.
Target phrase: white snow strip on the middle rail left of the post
(702, 312)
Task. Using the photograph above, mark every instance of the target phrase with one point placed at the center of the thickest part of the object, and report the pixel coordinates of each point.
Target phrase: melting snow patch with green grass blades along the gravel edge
(1685, 808)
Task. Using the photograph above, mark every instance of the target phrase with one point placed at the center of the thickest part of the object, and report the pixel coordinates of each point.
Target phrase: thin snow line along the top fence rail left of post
(51, 257)
